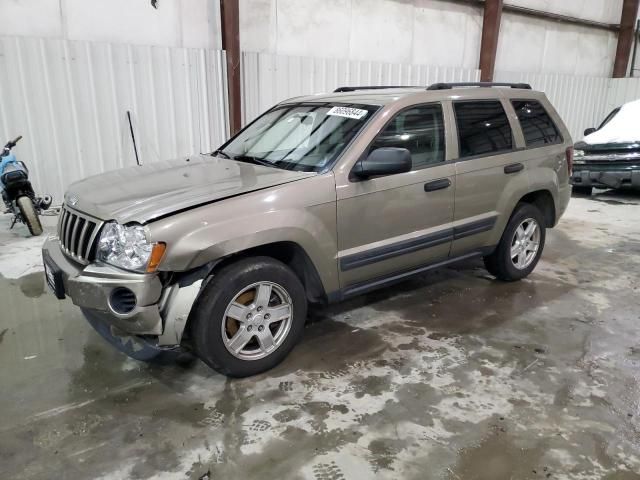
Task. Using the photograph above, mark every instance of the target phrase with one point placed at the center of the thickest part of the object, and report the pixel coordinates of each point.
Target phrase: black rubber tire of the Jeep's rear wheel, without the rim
(499, 263)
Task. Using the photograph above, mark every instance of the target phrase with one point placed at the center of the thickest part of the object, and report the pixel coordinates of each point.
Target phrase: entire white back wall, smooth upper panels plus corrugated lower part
(71, 69)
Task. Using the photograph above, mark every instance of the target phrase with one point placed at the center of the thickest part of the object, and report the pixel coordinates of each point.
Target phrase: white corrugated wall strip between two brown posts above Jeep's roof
(268, 79)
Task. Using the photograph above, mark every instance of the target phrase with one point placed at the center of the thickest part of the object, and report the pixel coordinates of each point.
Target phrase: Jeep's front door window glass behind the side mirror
(418, 129)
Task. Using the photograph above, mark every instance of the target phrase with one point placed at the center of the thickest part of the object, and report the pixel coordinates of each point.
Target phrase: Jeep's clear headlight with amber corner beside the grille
(126, 246)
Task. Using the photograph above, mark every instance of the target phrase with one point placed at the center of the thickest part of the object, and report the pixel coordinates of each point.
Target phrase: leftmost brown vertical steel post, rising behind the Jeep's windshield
(230, 23)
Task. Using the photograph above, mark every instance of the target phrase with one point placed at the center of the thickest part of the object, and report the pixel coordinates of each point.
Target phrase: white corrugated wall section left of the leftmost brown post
(69, 101)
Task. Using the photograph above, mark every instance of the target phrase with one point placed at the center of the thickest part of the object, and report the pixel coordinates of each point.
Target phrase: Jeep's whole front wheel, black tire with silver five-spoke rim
(248, 317)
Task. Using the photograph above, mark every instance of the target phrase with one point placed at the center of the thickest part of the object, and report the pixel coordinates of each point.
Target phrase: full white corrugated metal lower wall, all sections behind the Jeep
(69, 99)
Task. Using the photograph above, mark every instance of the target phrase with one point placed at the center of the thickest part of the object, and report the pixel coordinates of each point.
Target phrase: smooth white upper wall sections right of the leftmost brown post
(432, 32)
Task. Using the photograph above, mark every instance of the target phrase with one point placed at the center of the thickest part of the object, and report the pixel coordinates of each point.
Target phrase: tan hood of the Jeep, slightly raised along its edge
(141, 194)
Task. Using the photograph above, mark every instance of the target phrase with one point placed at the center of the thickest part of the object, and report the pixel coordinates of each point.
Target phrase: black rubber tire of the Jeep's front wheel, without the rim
(205, 322)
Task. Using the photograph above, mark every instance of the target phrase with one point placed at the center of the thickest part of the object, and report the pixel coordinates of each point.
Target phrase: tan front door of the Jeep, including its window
(399, 222)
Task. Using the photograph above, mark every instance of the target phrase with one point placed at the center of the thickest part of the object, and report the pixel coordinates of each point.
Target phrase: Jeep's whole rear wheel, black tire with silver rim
(521, 245)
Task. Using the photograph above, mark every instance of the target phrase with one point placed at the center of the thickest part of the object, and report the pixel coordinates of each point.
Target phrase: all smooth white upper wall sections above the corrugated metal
(422, 32)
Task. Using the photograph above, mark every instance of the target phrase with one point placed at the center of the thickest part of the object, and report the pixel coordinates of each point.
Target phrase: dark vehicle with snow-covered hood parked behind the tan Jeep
(609, 156)
